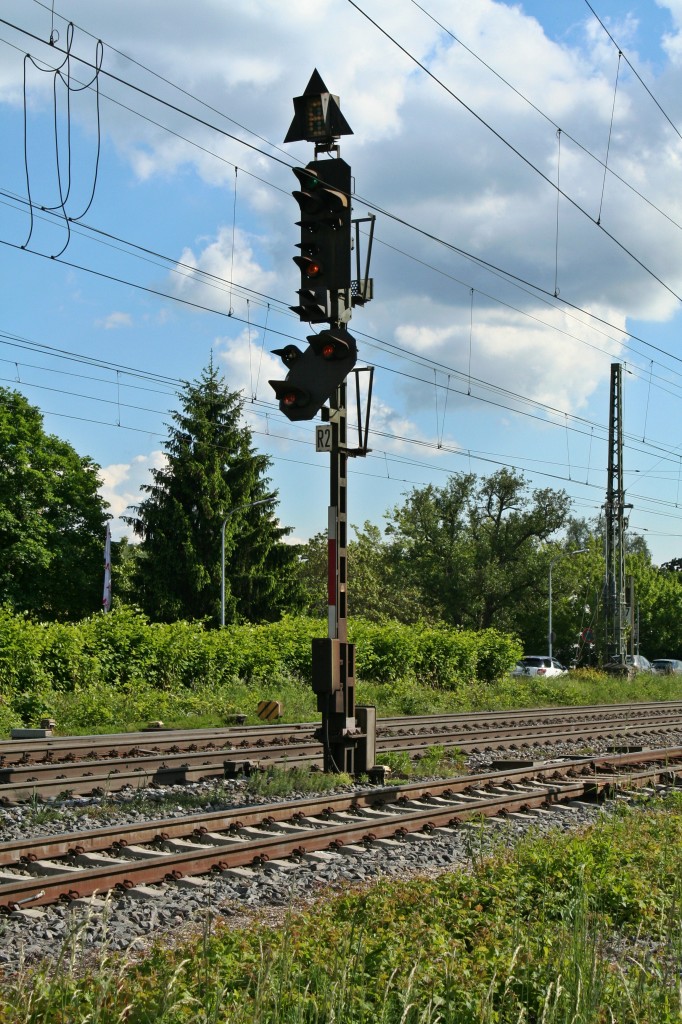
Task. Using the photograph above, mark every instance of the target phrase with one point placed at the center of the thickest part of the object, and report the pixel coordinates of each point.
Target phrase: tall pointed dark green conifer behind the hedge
(212, 475)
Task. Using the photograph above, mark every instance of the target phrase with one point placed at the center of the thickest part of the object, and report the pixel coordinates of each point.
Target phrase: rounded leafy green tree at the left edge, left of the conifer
(53, 520)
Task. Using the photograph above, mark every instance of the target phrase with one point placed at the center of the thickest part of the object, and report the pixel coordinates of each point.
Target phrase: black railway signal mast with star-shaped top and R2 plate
(318, 375)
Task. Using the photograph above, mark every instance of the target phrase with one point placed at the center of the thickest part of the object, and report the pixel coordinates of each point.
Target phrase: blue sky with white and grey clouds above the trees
(479, 363)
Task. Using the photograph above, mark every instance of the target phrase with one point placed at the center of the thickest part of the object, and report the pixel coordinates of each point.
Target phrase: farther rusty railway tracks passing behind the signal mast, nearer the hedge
(99, 765)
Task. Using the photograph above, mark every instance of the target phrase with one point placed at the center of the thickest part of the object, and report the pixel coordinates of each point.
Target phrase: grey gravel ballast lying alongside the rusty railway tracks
(140, 916)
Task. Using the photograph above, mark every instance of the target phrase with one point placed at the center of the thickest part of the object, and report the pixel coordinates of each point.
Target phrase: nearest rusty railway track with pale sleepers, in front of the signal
(72, 867)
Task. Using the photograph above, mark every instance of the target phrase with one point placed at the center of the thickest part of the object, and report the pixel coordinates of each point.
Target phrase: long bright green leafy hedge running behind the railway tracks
(123, 647)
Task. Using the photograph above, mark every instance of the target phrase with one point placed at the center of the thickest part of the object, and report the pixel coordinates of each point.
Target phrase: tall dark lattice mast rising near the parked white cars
(616, 619)
